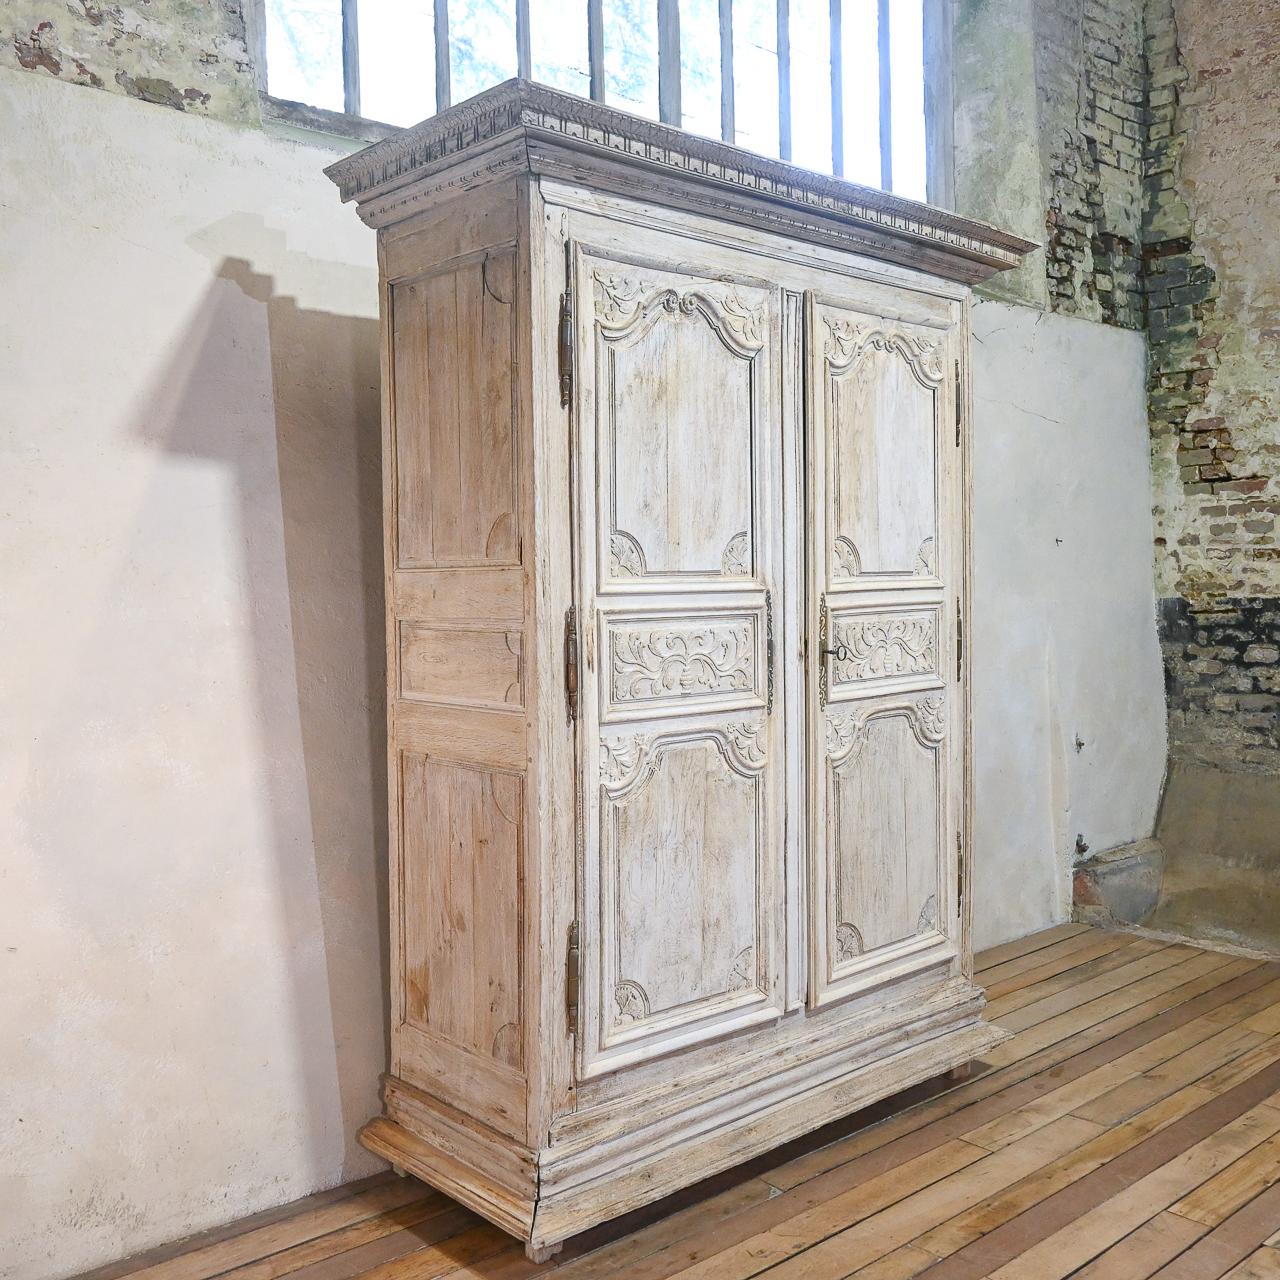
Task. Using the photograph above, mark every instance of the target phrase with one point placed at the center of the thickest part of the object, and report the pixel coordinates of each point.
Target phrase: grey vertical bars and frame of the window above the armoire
(938, 72)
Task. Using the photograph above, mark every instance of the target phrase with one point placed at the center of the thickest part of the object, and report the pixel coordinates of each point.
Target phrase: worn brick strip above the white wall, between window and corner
(1091, 83)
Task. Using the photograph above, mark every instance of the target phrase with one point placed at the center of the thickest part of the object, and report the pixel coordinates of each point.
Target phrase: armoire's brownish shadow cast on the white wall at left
(313, 572)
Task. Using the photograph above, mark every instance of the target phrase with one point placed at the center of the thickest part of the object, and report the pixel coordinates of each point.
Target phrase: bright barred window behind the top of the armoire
(833, 85)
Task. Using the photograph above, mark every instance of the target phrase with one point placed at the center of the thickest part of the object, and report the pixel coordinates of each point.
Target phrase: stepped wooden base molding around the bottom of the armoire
(543, 1199)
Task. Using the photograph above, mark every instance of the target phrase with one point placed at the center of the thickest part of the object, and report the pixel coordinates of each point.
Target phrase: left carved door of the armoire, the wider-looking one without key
(679, 563)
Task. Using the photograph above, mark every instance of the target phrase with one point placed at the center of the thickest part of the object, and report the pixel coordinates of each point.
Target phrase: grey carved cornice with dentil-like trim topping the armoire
(524, 109)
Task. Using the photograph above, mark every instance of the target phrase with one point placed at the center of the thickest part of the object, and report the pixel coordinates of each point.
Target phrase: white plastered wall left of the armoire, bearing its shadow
(191, 678)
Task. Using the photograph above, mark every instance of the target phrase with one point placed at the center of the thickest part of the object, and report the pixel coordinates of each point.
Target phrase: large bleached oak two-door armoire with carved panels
(676, 472)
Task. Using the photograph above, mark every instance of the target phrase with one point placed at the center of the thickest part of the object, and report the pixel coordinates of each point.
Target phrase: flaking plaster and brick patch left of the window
(188, 54)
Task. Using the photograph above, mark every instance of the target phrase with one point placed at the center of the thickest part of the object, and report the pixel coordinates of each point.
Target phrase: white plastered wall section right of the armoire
(1064, 636)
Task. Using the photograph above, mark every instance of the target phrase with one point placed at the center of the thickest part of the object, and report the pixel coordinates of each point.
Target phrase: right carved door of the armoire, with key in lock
(886, 565)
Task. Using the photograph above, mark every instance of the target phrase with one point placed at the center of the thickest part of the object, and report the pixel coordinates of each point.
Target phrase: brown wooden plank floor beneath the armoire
(1131, 1130)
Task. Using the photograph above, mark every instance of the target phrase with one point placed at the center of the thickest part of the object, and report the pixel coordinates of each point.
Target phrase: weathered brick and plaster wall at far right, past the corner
(1212, 231)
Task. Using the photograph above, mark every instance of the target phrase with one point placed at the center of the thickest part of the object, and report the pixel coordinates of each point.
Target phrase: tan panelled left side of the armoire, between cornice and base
(458, 634)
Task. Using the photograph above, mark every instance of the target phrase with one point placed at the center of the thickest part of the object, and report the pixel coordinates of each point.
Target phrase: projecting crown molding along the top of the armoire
(545, 130)
